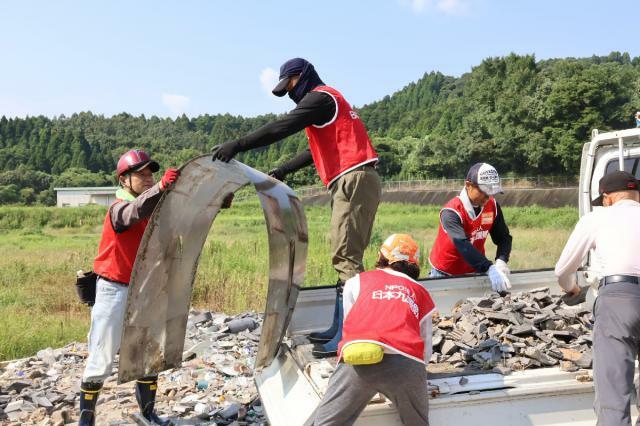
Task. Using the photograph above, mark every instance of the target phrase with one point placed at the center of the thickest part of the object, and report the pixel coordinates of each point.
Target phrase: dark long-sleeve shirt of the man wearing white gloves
(499, 235)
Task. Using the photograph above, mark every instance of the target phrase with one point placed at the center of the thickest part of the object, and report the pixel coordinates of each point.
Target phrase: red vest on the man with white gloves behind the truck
(444, 255)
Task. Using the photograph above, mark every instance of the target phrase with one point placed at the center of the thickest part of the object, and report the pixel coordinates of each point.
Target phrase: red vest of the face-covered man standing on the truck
(342, 144)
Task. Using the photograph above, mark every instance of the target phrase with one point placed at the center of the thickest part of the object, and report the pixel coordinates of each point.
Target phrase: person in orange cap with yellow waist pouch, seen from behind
(386, 340)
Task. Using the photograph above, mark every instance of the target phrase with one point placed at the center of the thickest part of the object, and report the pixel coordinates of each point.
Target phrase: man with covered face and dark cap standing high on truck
(345, 160)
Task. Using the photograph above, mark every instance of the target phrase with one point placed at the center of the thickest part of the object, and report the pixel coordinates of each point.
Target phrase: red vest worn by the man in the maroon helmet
(117, 251)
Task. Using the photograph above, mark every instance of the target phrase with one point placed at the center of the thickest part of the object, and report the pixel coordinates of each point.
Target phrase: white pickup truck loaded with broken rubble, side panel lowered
(291, 386)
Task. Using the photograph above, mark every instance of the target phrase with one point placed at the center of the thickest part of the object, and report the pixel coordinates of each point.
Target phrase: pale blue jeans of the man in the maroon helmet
(107, 319)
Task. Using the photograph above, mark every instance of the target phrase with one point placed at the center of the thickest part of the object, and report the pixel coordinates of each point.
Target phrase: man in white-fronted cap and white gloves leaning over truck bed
(465, 223)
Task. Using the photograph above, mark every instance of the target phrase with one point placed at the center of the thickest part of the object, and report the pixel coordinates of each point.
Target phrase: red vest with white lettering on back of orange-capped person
(388, 311)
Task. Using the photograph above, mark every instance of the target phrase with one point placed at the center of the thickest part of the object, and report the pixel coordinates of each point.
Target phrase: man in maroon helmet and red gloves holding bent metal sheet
(122, 231)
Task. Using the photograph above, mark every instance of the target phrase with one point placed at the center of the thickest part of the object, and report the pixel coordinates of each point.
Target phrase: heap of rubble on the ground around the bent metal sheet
(214, 386)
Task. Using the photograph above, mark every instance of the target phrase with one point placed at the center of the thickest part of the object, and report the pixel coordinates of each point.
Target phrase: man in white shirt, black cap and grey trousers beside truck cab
(613, 234)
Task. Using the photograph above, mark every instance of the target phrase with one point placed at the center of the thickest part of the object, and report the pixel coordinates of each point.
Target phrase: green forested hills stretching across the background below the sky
(523, 116)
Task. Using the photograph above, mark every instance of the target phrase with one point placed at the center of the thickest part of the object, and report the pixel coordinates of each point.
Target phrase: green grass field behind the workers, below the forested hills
(42, 248)
